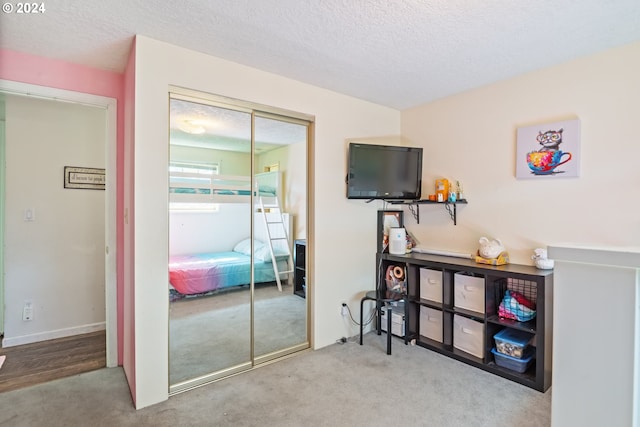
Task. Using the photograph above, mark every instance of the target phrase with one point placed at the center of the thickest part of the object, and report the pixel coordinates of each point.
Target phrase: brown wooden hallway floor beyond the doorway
(31, 364)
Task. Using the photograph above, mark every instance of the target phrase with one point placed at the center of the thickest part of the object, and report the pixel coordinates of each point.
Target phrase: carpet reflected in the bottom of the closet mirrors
(212, 333)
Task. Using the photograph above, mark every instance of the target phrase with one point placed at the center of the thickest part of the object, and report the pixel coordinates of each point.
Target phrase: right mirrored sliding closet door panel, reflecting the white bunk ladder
(280, 315)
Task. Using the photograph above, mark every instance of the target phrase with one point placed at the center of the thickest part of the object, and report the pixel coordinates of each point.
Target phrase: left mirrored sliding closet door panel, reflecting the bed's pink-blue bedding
(209, 241)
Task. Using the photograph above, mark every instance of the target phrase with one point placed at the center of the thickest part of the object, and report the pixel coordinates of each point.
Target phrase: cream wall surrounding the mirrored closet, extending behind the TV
(342, 236)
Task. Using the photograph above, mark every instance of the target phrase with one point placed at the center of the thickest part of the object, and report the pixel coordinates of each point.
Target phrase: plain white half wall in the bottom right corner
(596, 356)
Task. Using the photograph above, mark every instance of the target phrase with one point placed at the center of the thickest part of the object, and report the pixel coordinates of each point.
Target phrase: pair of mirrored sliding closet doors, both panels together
(237, 203)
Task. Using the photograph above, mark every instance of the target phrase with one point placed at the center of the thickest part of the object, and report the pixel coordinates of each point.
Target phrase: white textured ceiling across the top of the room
(398, 53)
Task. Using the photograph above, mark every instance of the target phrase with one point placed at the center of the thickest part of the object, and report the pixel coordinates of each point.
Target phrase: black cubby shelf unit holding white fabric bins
(496, 279)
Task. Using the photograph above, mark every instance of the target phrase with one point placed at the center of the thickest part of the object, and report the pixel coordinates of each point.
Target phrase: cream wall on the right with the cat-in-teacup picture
(472, 137)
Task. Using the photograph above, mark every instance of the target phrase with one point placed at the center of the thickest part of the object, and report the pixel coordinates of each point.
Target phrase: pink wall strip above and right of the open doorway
(24, 68)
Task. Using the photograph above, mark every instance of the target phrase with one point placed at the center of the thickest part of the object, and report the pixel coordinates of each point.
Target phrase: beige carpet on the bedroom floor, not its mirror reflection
(340, 385)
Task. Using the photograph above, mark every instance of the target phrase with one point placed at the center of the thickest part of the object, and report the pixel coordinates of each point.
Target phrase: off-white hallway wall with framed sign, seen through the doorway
(57, 261)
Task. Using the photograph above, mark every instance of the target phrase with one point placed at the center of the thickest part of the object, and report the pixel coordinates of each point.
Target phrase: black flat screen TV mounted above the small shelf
(384, 172)
